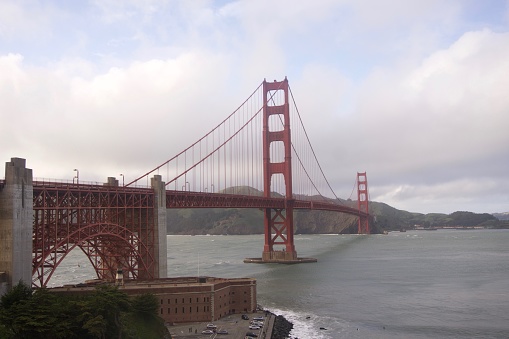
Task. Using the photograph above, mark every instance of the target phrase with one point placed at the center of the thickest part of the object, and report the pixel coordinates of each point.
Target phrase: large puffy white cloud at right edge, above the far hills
(452, 102)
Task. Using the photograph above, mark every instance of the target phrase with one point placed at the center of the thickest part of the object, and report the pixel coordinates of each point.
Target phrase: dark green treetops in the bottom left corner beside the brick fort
(105, 313)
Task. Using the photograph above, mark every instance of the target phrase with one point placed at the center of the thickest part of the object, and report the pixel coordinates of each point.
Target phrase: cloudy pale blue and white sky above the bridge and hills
(416, 93)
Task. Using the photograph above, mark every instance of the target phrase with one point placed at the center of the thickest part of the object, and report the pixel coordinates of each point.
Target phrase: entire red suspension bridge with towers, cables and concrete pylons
(252, 159)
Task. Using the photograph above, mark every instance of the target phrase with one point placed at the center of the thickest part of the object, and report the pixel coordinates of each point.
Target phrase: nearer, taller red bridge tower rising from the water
(278, 222)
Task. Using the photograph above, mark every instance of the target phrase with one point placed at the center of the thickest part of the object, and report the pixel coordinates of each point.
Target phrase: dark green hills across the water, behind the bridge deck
(250, 221)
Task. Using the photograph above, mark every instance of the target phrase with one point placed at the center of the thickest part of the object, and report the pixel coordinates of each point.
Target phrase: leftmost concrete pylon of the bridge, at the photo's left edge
(16, 223)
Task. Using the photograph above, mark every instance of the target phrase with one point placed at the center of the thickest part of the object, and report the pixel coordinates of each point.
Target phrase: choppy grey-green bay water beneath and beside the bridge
(417, 284)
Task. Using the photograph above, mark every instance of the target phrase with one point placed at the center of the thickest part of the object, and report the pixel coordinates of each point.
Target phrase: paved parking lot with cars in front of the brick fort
(234, 324)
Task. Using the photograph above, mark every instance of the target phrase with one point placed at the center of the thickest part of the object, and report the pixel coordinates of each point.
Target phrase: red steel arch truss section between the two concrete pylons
(113, 226)
